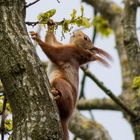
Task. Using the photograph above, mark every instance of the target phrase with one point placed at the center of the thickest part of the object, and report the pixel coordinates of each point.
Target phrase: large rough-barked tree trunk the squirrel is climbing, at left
(35, 115)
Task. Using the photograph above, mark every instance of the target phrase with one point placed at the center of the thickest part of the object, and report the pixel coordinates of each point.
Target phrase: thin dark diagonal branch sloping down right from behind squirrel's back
(127, 109)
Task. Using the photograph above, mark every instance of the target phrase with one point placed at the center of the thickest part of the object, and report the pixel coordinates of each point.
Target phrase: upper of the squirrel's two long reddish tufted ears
(101, 52)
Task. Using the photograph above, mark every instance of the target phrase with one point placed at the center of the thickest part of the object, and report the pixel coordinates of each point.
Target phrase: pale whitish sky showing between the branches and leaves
(113, 121)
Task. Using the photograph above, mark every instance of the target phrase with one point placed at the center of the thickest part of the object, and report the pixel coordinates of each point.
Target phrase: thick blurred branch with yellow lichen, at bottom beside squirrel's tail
(87, 129)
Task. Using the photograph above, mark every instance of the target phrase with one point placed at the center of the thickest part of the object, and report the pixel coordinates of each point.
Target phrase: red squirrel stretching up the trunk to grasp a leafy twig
(64, 64)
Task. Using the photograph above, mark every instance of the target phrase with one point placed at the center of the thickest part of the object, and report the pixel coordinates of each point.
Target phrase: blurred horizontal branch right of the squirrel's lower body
(103, 104)
